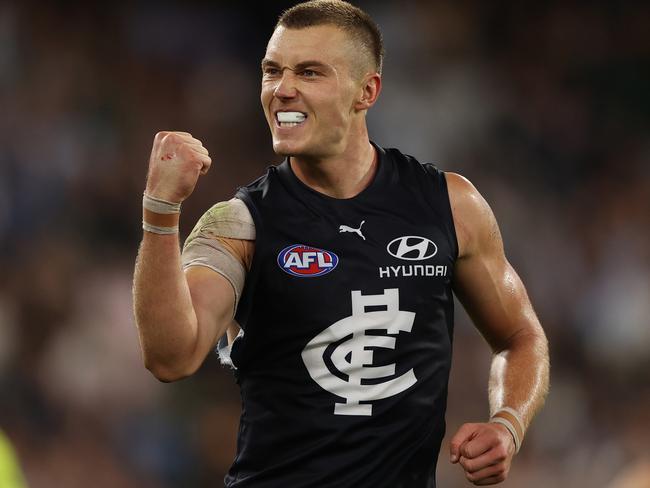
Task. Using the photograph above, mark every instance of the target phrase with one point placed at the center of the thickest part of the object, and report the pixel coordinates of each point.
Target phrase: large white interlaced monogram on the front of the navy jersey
(352, 355)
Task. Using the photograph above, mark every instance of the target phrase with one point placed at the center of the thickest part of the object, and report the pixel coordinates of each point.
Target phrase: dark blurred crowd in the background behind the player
(544, 106)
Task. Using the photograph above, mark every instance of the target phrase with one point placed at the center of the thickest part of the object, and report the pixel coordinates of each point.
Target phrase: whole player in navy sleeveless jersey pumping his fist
(327, 283)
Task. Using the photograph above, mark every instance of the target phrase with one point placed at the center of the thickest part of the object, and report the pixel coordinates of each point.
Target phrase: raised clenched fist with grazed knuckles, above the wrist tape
(177, 160)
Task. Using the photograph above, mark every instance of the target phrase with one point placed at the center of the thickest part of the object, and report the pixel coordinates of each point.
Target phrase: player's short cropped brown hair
(354, 21)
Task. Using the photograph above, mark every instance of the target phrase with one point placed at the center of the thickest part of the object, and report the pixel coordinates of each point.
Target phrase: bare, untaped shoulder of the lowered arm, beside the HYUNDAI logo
(474, 221)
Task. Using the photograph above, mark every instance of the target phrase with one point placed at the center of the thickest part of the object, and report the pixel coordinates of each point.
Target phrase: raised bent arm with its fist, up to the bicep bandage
(179, 316)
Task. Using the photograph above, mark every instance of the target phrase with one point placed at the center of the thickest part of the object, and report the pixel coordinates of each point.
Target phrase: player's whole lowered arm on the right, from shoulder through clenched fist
(496, 300)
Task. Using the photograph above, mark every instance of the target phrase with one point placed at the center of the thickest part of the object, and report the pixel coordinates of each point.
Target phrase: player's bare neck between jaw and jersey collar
(343, 175)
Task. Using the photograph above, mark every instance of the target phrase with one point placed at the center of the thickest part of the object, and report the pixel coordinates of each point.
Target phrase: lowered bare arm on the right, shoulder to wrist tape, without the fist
(496, 300)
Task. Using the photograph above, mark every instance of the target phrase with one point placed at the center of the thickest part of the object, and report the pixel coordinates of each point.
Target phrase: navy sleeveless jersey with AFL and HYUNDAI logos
(347, 316)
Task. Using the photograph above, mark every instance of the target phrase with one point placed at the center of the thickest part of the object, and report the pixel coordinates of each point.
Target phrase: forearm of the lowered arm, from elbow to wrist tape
(519, 376)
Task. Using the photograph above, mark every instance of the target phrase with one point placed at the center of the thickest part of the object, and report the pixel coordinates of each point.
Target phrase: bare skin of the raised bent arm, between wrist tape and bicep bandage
(179, 316)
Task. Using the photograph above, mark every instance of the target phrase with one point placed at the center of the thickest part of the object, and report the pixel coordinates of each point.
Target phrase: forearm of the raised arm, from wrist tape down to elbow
(164, 314)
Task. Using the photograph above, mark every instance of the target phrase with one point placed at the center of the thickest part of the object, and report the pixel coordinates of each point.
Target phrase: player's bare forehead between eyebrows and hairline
(326, 43)
